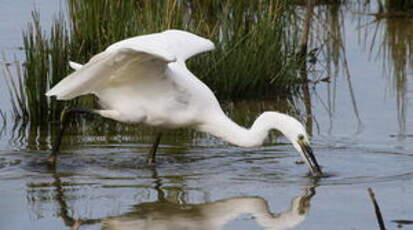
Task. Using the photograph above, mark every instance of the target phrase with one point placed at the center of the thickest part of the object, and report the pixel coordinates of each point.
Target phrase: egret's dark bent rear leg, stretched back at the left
(64, 118)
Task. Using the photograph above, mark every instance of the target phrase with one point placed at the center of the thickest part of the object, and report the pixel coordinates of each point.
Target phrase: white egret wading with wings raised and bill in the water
(144, 80)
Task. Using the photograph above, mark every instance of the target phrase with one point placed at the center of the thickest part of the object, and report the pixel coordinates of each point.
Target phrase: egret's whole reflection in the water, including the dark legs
(175, 215)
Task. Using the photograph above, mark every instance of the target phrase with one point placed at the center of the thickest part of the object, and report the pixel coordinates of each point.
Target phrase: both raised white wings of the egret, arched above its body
(163, 48)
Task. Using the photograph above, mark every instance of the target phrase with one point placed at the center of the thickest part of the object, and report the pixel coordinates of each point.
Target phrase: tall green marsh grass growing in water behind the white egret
(254, 56)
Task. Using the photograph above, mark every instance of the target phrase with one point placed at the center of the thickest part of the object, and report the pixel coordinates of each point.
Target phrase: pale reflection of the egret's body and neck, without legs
(166, 215)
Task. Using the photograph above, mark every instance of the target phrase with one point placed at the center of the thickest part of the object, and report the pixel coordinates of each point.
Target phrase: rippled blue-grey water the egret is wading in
(202, 183)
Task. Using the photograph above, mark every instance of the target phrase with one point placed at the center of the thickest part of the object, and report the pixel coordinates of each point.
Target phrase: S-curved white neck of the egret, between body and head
(223, 127)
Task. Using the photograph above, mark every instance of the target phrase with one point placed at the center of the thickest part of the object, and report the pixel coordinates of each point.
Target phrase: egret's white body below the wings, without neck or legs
(170, 98)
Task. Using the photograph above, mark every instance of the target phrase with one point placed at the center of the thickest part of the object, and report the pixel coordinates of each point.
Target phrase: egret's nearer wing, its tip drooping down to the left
(101, 67)
